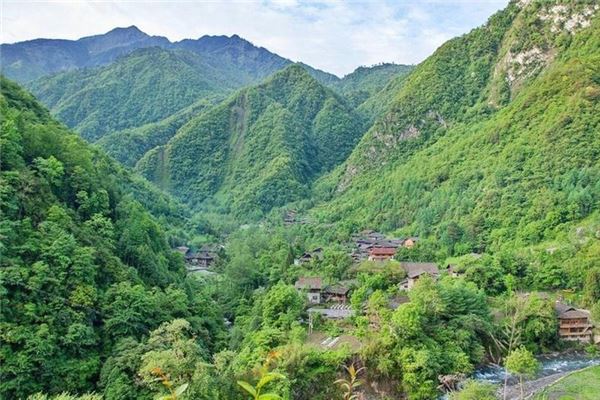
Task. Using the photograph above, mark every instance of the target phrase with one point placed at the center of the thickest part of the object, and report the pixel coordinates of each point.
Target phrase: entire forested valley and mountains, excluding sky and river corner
(170, 210)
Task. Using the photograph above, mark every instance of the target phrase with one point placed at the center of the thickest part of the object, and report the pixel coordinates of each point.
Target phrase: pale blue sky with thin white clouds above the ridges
(335, 36)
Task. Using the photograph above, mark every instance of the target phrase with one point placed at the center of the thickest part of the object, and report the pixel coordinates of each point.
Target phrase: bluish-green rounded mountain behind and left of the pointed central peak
(125, 94)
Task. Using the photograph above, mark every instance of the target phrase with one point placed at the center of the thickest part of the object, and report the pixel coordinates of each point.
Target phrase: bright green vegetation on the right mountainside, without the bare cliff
(514, 180)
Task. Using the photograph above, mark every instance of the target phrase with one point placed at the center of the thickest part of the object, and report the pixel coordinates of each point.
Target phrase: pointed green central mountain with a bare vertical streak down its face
(260, 148)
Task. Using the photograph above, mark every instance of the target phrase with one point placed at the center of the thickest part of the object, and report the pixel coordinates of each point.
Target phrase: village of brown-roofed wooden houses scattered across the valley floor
(330, 301)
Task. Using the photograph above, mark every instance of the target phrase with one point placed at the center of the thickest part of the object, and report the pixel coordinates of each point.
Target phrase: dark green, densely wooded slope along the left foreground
(86, 270)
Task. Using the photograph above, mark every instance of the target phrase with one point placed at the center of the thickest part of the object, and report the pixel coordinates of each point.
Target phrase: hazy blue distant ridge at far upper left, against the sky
(26, 61)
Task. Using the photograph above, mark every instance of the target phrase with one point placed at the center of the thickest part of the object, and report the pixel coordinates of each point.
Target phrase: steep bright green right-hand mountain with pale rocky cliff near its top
(491, 143)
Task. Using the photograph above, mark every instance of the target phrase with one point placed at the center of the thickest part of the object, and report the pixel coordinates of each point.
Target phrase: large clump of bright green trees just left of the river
(441, 330)
